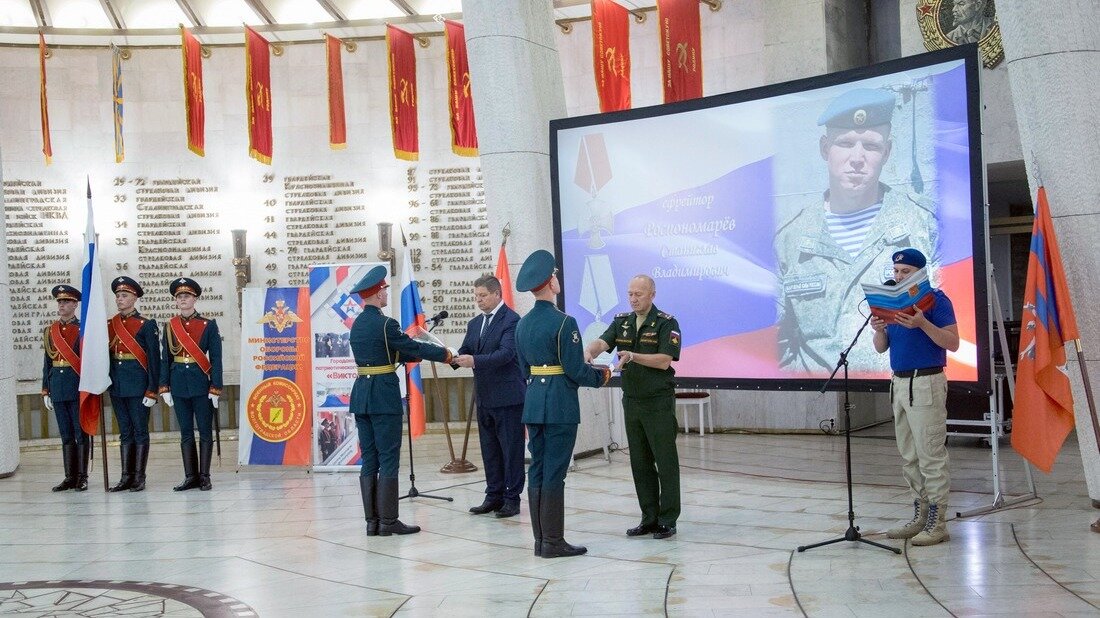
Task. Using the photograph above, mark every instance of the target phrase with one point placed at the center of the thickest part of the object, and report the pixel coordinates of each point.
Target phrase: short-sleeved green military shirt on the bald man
(659, 335)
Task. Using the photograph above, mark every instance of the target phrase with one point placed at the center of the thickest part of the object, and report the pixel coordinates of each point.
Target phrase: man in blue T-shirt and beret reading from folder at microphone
(919, 346)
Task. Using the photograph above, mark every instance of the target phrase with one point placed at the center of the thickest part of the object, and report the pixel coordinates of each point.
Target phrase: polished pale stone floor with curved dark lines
(287, 543)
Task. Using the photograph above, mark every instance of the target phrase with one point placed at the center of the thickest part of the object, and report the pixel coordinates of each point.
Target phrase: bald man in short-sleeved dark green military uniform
(648, 340)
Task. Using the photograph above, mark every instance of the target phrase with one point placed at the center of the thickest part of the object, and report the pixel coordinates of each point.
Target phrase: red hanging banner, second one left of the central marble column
(403, 118)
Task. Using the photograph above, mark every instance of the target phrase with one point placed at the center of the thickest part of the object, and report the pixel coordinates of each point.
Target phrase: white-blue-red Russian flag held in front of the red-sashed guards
(95, 366)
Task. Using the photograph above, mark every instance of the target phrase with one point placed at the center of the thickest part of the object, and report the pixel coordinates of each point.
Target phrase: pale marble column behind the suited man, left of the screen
(515, 74)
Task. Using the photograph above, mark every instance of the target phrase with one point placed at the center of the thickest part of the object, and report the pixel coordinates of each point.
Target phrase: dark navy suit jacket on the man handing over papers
(498, 379)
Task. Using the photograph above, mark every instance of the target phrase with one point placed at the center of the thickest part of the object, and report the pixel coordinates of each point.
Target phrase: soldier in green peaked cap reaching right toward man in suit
(378, 344)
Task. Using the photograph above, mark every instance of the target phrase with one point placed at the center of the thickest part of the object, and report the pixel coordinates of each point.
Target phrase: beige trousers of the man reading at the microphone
(921, 428)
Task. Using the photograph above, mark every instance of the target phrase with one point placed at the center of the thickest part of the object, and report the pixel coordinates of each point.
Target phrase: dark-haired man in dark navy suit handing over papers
(490, 350)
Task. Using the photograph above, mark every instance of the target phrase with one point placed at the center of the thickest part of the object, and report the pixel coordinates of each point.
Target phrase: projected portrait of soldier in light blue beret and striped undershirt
(845, 237)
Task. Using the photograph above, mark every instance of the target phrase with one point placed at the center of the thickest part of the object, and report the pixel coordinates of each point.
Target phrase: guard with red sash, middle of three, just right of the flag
(136, 369)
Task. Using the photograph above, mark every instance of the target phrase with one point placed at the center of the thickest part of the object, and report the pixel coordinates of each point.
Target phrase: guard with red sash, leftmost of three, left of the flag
(61, 381)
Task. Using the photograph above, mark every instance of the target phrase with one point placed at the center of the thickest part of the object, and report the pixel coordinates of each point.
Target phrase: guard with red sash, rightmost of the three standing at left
(191, 381)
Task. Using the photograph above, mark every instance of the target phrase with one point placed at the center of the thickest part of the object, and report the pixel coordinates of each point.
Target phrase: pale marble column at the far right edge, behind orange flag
(1053, 56)
